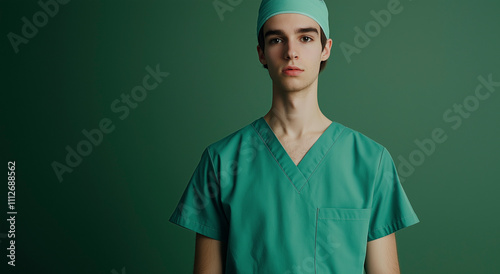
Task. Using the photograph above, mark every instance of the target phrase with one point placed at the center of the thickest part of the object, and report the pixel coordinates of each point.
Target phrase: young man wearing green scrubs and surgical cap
(294, 192)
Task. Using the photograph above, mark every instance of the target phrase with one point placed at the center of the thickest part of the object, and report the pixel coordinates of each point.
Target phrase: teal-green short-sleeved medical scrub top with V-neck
(278, 217)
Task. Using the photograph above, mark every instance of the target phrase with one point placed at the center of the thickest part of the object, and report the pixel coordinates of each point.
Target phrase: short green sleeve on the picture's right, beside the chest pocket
(391, 209)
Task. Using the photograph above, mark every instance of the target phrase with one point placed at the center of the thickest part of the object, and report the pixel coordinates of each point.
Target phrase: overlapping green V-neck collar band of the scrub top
(298, 174)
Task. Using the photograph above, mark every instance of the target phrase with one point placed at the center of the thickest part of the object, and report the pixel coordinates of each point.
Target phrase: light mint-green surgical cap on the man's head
(315, 9)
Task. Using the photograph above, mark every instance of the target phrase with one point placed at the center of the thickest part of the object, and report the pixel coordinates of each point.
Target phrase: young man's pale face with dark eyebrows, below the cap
(293, 40)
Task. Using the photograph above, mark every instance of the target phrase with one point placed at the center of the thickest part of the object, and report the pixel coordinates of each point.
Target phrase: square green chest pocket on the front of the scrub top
(341, 238)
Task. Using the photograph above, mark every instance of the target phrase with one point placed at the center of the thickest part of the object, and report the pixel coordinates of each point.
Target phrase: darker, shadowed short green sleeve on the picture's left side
(200, 208)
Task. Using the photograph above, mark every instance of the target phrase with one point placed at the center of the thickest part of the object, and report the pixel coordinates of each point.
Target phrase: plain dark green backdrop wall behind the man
(110, 214)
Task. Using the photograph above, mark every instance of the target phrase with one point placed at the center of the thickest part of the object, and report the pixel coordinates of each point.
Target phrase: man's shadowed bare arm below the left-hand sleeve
(209, 256)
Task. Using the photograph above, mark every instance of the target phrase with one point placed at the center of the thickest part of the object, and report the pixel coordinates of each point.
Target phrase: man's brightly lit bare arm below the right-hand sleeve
(382, 256)
